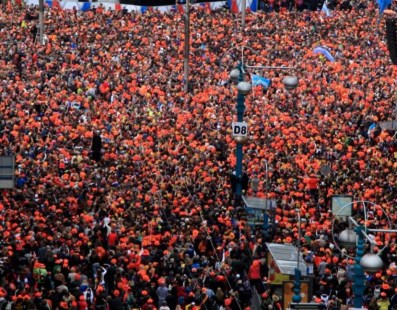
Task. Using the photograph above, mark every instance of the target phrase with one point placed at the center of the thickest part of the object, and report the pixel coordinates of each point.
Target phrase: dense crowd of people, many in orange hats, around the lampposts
(123, 197)
